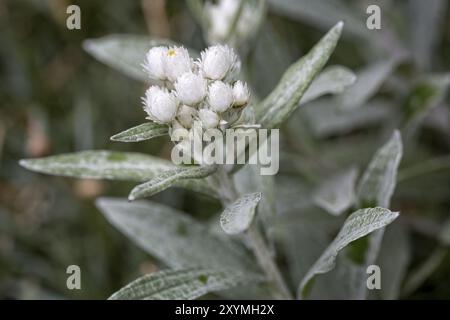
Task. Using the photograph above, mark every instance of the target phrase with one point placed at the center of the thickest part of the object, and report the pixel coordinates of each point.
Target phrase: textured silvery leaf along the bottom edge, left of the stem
(182, 284)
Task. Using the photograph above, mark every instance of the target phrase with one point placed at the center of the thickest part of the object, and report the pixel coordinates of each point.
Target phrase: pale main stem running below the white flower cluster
(256, 242)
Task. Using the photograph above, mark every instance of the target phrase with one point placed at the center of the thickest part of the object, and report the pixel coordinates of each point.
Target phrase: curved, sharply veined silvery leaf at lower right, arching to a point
(357, 225)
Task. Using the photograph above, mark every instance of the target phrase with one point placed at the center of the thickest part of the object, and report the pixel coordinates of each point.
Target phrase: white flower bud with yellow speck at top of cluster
(176, 62)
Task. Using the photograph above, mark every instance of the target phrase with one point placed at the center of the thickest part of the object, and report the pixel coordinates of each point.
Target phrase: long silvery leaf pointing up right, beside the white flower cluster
(284, 99)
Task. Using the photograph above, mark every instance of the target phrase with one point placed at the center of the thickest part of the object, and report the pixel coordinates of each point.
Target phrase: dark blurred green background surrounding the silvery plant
(55, 98)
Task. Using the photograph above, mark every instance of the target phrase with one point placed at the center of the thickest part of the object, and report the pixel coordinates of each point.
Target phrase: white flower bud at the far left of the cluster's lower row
(160, 105)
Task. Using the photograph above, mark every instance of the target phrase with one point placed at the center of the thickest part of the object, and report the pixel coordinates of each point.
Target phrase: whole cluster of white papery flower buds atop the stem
(205, 90)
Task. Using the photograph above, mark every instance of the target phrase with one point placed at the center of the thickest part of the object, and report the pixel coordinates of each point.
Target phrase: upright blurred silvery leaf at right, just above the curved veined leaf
(377, 184)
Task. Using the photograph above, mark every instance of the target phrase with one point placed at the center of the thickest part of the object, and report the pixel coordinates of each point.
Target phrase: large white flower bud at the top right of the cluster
(219, 62)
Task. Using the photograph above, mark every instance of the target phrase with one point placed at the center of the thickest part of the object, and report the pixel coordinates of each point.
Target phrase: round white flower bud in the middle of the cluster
(191, 88)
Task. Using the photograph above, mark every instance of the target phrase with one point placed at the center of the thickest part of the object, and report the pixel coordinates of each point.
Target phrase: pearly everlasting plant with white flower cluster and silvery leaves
(189, 95)
